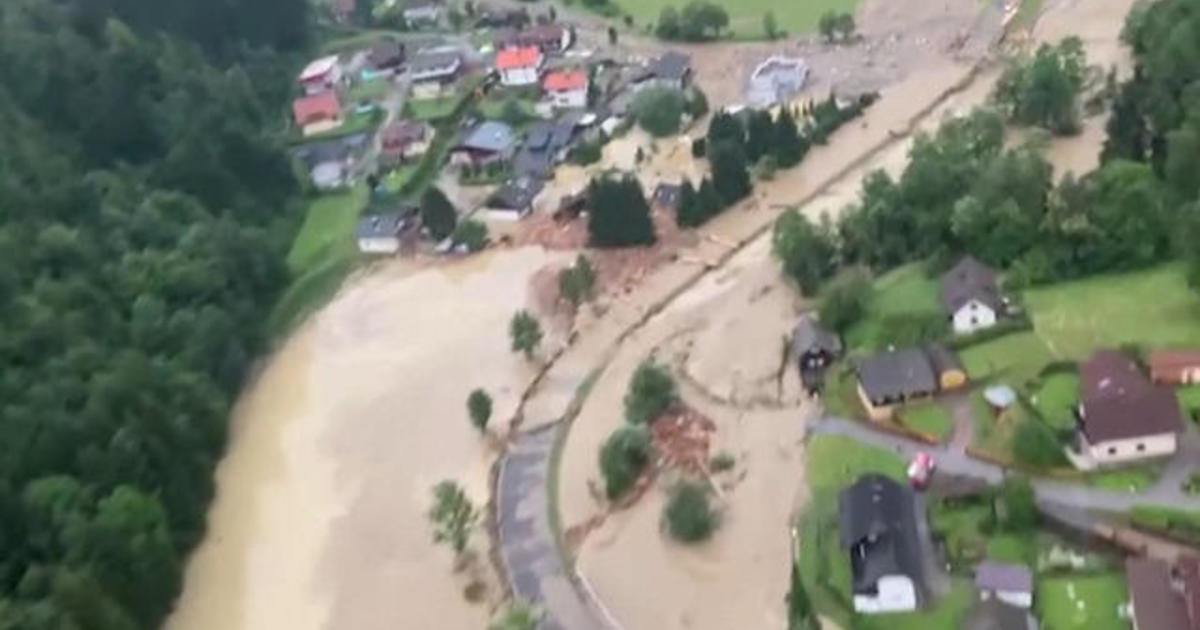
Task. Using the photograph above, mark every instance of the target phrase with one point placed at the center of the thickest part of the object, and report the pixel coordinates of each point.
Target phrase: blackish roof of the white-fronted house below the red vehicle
(879, 529)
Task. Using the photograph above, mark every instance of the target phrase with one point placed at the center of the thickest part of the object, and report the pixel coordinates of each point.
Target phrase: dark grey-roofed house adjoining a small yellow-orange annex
(892, 379)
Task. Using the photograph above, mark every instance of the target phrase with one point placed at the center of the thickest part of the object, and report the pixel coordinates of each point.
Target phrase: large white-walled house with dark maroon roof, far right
(1123, 416)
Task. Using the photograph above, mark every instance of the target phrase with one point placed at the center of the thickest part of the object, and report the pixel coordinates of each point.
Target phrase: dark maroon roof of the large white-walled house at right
(1121, 404)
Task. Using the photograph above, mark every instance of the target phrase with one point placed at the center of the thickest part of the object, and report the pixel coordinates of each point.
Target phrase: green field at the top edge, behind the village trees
(746, 16)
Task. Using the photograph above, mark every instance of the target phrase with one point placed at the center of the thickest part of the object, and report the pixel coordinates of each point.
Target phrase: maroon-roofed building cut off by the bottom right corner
(1162, 598)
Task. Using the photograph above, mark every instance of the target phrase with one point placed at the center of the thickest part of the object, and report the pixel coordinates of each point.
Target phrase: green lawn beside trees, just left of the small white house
(903, 291)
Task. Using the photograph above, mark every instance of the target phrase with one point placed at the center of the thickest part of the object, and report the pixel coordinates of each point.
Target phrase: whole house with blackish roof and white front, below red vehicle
(879, 531)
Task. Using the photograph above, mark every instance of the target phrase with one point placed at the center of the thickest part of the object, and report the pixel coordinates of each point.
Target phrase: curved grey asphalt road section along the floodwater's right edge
(527, 541)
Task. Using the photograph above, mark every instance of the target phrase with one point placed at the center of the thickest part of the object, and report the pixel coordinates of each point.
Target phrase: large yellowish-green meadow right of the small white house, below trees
(1153, 309)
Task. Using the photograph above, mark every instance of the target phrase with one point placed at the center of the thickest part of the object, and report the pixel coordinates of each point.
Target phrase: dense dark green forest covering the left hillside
(145, 205)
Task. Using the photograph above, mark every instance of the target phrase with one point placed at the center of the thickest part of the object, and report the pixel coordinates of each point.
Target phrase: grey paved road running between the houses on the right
(1076, 495)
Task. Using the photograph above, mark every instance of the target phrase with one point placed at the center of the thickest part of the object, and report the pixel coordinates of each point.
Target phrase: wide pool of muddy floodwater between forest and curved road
(319, 523)
